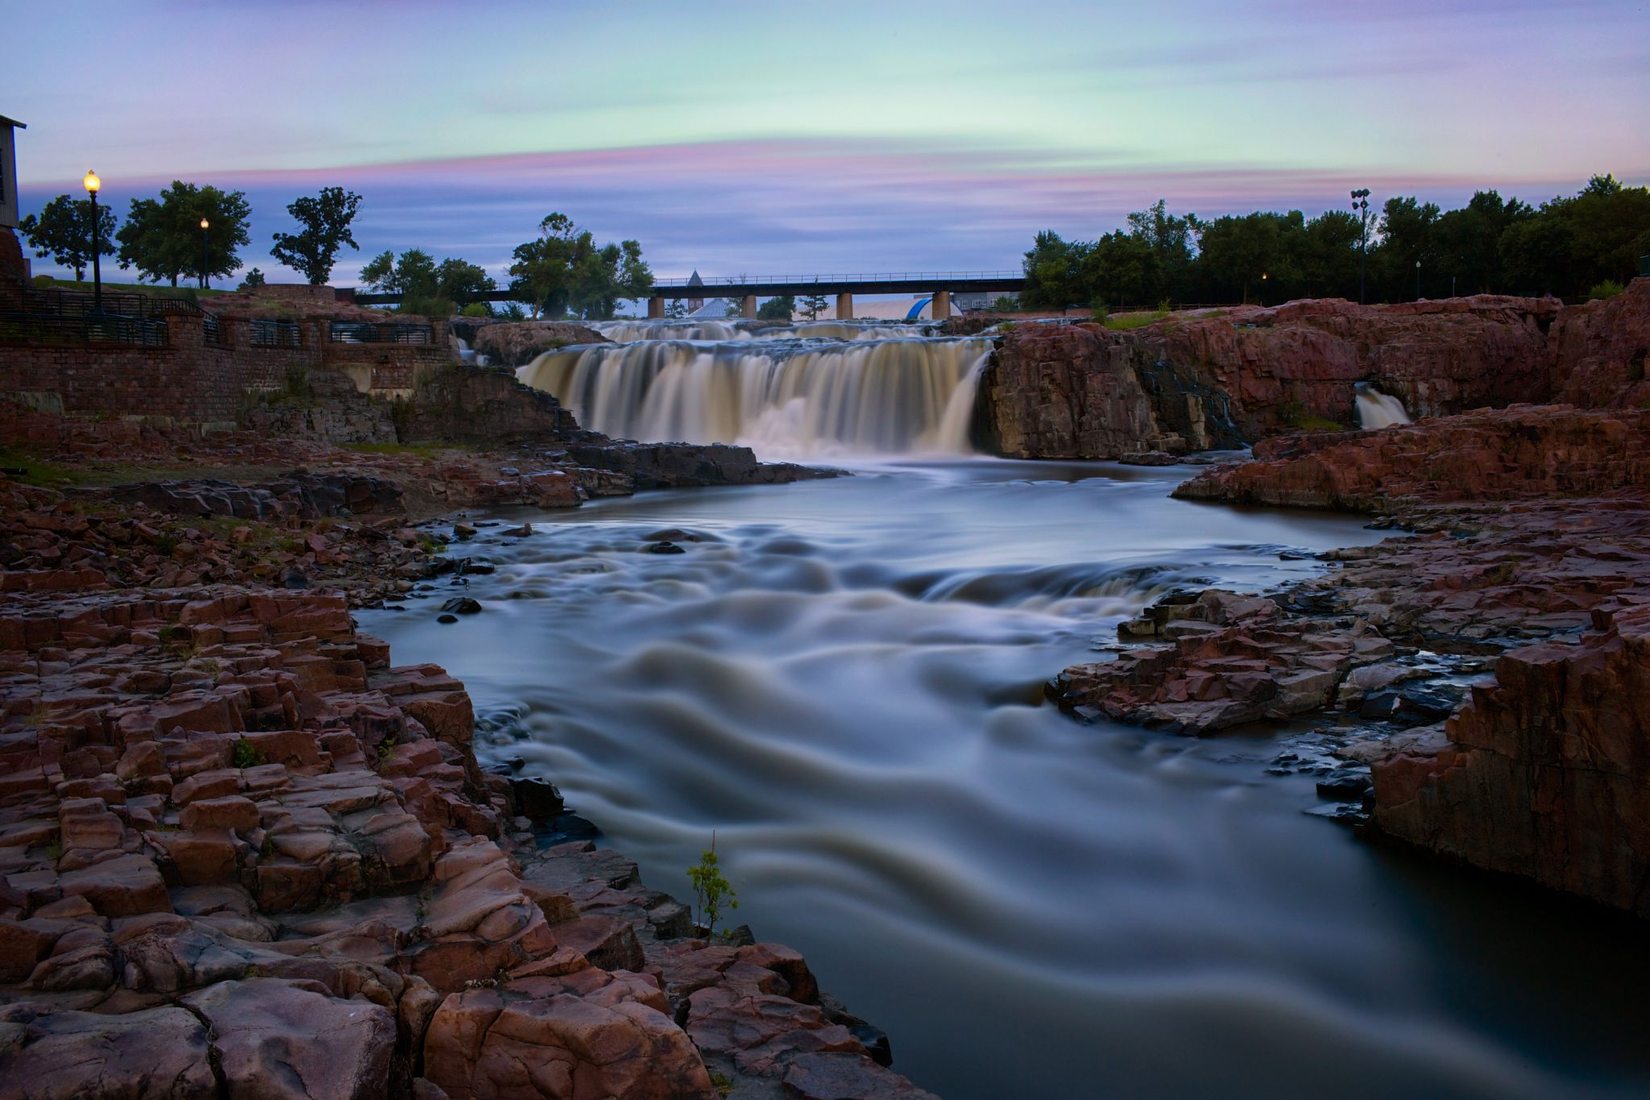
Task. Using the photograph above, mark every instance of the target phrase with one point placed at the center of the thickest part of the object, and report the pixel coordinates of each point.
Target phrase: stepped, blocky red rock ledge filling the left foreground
(243, 855)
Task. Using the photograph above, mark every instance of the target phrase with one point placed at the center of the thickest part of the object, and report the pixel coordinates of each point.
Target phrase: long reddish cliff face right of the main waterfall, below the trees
(1230, 377)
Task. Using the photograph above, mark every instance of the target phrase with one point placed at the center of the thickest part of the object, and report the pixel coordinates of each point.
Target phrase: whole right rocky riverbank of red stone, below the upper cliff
(1489, 669)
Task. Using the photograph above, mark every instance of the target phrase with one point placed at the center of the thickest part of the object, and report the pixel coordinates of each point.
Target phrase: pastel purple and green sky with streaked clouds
(765, 139)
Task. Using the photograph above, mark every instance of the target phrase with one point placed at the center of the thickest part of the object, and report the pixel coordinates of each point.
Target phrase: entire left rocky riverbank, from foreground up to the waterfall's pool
(243, 853)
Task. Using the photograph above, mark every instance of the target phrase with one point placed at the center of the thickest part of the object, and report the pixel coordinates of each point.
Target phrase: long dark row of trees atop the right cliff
(1575, 247)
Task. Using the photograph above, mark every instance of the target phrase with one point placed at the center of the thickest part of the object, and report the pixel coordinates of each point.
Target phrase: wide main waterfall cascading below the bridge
(781, 398)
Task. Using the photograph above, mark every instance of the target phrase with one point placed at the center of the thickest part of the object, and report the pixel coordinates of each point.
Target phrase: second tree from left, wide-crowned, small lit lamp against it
(164, 238)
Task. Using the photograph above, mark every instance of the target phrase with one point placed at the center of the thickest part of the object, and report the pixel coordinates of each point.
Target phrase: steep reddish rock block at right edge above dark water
(1545, 773)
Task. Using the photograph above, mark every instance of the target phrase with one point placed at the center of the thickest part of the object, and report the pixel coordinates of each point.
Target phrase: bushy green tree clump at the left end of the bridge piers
(565, 273)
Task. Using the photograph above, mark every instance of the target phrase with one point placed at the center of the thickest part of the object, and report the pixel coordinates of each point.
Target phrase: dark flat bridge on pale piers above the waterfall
(748, 289)
